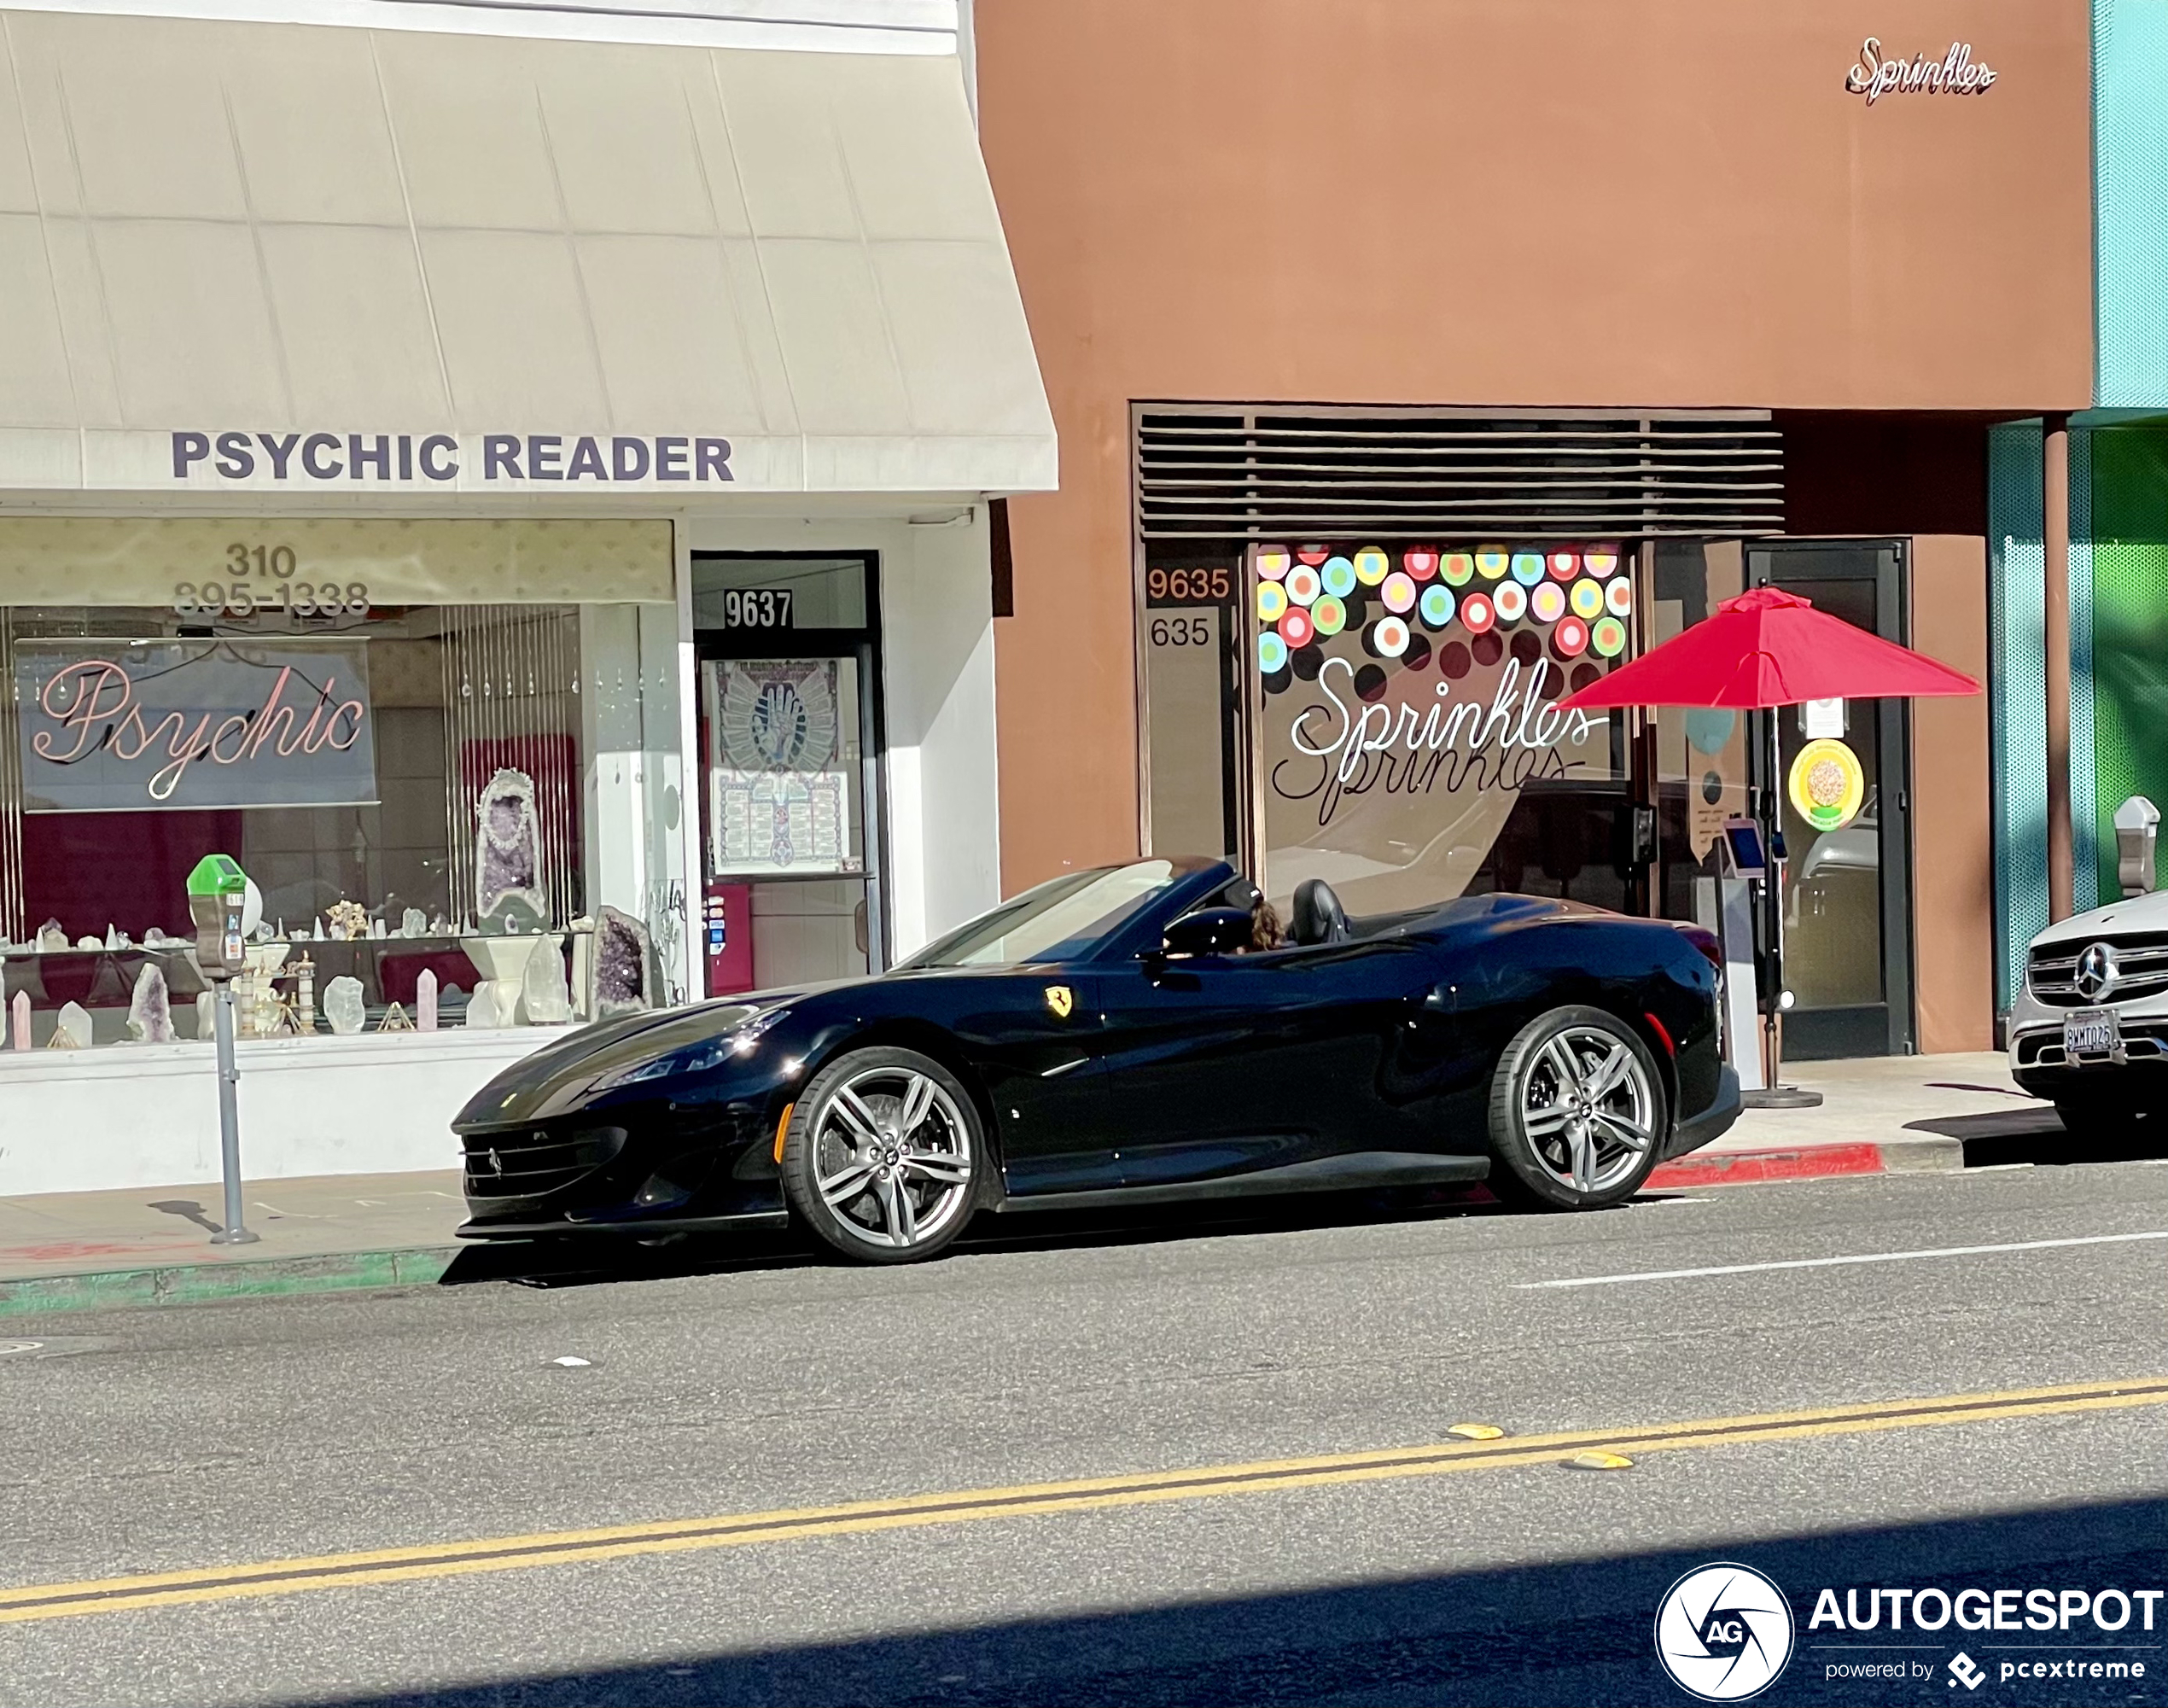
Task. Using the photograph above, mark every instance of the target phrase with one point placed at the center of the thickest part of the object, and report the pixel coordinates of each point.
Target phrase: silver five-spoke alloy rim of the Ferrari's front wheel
(892, 1159)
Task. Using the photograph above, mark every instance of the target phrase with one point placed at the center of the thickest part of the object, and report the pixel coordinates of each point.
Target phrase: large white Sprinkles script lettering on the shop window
(1352, 749)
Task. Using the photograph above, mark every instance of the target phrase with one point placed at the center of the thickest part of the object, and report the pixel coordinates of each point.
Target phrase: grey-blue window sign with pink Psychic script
(131, 727)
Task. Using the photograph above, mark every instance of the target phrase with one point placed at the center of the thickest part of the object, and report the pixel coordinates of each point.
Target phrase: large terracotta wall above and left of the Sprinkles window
(1462, 203)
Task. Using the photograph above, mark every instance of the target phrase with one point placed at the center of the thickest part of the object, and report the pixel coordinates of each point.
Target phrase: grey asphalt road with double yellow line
(242, 1434)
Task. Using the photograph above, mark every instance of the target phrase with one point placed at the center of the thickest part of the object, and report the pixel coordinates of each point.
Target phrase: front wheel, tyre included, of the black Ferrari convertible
(883, 1156)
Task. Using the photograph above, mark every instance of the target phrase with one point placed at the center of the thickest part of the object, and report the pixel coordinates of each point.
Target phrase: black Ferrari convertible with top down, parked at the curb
(1111, 1039)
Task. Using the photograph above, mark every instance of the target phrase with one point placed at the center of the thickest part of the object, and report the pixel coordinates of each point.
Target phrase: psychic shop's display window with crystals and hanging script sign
(428, 753)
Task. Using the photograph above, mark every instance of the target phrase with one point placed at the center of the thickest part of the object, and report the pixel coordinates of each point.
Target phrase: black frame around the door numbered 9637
(862, 645)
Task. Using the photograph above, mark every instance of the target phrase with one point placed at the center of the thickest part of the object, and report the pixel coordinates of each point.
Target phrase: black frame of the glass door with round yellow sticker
(1894, 768)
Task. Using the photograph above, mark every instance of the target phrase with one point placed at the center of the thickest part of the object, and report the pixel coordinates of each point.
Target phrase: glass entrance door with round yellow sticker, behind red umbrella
(1848, 905)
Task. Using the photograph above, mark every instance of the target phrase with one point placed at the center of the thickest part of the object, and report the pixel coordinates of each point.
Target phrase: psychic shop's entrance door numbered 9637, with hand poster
(790, 766)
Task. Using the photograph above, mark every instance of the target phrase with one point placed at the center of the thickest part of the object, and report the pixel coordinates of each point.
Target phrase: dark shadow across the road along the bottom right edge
(1571, 1633)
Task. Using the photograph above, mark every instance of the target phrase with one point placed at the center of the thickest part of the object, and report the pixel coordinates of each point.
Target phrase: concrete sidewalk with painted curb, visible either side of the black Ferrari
(142, 1247)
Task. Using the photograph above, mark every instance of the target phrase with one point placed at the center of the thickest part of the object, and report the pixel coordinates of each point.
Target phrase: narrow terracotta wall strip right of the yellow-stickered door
(1952, 844)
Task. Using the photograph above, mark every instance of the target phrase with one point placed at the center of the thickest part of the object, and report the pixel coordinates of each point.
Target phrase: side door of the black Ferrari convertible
(1224, 1065)
